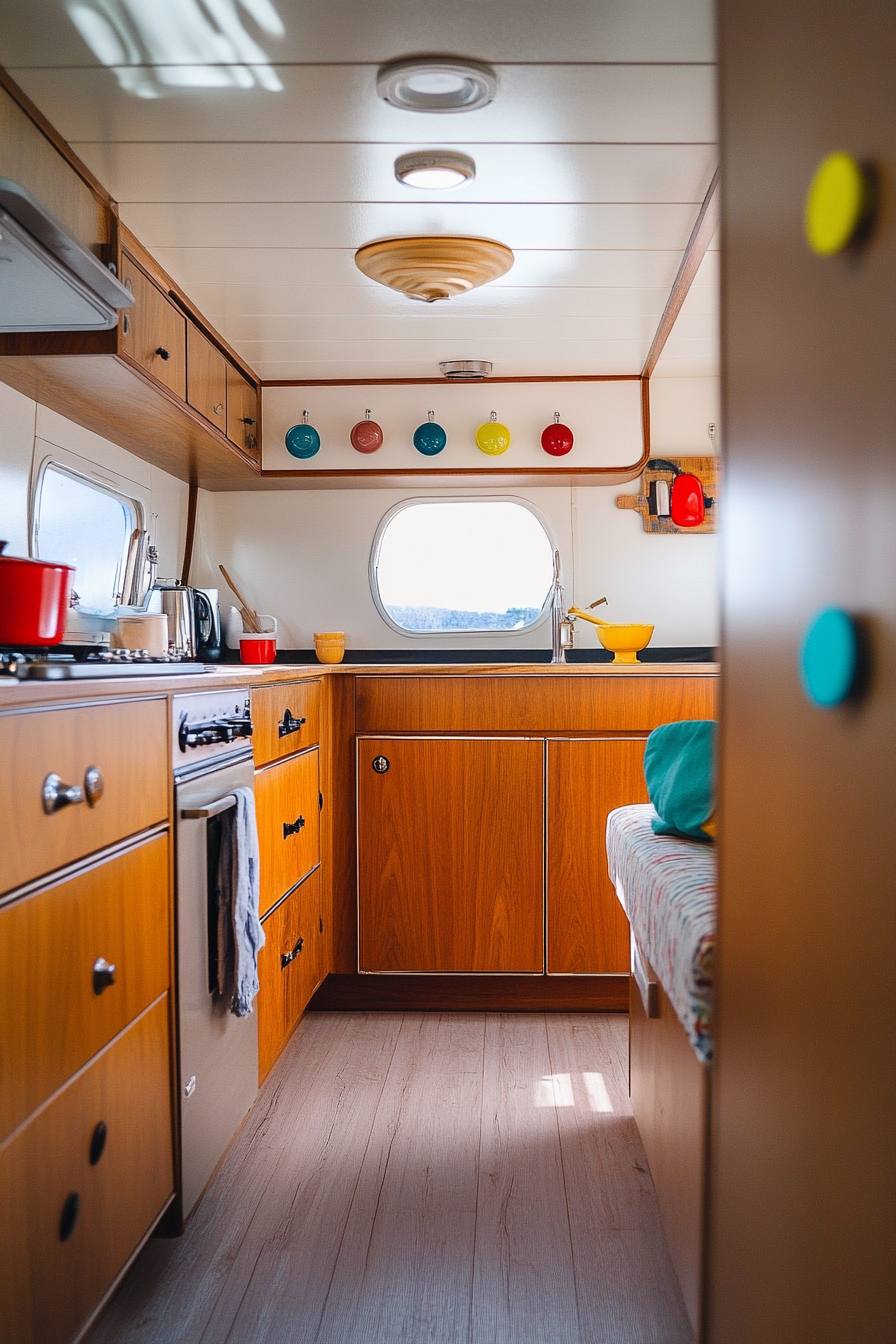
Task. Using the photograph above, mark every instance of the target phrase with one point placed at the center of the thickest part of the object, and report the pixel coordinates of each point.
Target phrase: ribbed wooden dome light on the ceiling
(433, 268)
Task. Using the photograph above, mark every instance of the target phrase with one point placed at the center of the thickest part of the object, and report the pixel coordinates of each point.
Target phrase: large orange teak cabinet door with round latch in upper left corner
(451, 855)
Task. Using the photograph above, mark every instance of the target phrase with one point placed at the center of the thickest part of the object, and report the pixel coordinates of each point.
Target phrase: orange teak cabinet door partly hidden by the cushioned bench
(588, 929)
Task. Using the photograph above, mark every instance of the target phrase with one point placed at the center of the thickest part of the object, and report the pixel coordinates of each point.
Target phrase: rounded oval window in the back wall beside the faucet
(461, 566)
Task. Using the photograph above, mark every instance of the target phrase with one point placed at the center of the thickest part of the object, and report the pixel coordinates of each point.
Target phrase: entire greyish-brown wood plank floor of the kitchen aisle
(422, 1179)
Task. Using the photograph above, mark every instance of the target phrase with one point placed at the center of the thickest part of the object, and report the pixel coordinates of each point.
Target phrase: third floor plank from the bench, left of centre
(405, 1273)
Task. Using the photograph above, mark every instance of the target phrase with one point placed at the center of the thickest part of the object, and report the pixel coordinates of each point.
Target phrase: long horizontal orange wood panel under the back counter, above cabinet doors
(551, 704)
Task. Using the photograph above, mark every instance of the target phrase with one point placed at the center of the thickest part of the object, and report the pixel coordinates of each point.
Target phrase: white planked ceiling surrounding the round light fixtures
(592, 163)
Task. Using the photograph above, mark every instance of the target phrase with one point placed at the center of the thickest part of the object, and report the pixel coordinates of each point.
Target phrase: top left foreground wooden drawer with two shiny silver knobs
(127, 743)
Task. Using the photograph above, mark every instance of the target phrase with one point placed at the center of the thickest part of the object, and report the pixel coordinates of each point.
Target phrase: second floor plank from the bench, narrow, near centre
(525, 1282)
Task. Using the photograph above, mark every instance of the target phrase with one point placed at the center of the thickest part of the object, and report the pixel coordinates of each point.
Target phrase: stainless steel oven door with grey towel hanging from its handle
(218, 1053)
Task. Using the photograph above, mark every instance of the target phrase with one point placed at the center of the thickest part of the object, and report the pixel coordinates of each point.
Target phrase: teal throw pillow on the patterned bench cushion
(679, 765)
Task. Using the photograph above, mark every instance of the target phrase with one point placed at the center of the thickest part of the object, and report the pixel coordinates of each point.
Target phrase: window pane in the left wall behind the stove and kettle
(83, 523)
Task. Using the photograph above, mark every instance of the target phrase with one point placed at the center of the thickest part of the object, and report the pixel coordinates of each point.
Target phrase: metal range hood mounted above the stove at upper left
(49, 283)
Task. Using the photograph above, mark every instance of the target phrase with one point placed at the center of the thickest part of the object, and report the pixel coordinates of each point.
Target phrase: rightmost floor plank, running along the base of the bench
(627, 1288)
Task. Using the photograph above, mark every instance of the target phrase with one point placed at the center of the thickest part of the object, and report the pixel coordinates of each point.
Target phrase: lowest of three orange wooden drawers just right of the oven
(292, 932)
